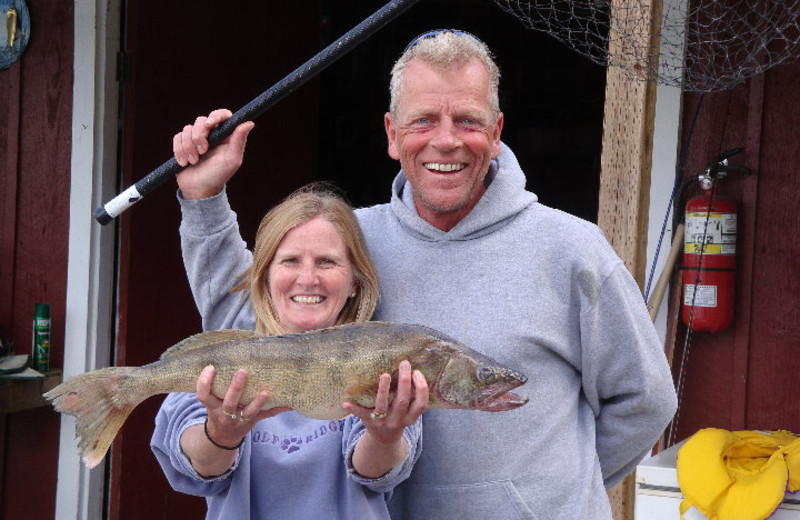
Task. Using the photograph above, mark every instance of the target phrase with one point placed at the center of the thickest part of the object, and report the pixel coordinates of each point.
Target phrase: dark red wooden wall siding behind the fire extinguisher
(746, 377)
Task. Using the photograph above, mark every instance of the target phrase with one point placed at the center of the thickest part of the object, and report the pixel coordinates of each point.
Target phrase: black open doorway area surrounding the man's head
(552, 99)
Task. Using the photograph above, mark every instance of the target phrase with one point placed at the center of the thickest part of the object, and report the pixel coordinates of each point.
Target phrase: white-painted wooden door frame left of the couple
(90, 277)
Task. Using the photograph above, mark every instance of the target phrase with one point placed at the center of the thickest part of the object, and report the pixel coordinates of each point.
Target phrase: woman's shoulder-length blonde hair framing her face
(318, 199)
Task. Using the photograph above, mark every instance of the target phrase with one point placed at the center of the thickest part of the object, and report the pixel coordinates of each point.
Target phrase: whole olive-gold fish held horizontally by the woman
(312, 372)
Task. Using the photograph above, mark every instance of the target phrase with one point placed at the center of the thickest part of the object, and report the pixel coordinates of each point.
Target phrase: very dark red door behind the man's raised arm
(183, 58)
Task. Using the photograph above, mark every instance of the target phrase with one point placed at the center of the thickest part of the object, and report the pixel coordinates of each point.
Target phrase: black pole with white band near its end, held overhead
(259, 105)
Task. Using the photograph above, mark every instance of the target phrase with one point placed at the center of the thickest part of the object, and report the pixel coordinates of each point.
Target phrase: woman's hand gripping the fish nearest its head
(382, 446)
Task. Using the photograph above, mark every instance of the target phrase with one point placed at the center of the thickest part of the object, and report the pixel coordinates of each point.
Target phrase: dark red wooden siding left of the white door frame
(35, 126)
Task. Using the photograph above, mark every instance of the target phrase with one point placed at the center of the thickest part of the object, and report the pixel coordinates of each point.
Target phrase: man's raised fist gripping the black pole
(204, 179)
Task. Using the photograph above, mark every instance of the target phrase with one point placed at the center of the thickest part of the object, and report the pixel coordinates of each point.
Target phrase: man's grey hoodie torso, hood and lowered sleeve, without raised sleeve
(542, 292)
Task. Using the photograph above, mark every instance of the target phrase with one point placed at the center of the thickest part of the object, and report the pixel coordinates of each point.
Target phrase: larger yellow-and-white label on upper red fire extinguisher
(711, 234)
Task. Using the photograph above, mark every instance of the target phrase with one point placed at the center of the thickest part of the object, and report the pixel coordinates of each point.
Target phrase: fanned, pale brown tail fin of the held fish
(100, 401)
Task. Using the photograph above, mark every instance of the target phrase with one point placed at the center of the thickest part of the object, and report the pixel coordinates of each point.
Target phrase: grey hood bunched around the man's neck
(504, 199)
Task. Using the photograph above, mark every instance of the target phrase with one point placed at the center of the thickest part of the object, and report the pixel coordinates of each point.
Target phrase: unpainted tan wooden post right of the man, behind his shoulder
(627, 159)
